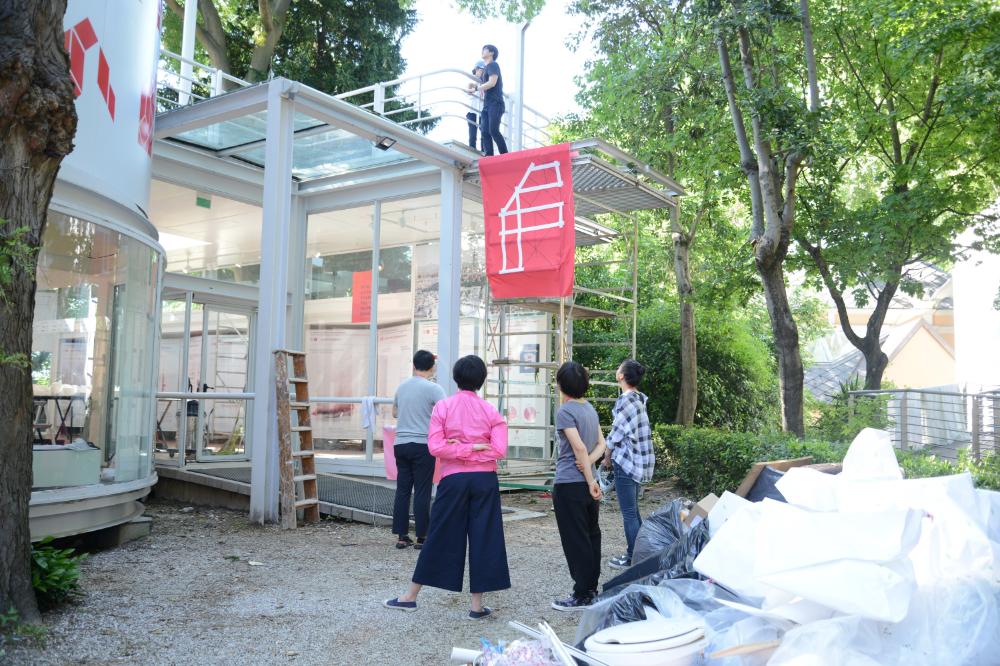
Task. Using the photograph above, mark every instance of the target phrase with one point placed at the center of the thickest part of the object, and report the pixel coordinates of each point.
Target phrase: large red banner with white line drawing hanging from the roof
(528, 207)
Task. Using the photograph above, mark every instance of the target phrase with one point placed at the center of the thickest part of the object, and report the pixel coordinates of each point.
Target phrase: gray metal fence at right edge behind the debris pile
(940, 422)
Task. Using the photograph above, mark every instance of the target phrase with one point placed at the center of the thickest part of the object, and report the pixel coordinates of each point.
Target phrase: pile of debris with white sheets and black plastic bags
(858, 567)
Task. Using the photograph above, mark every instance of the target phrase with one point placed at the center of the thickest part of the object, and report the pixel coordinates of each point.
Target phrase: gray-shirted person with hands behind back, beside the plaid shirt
(575, 492)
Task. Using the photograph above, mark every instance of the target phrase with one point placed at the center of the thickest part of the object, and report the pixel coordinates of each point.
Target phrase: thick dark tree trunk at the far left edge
(37, 123)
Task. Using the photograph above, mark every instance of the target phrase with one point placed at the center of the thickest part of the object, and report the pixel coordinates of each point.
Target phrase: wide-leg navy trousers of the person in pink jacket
(466, 509)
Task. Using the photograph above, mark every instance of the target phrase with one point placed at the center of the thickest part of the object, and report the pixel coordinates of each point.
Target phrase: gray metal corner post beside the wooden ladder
(275, 230)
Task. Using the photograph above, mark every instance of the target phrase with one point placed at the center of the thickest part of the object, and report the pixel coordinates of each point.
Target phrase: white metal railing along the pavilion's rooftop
(436, 102)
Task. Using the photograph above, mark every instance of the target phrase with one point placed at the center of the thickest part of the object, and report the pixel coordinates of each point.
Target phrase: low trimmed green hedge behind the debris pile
(707, 460)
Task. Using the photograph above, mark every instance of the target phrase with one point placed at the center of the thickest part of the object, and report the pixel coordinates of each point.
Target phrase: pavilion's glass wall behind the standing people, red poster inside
(338, 330)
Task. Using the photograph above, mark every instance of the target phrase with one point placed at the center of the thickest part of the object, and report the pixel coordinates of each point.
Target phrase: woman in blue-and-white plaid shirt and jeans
(630, 450)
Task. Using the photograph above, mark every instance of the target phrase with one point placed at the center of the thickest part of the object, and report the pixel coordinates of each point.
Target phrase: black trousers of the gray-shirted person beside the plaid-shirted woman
(577, 516)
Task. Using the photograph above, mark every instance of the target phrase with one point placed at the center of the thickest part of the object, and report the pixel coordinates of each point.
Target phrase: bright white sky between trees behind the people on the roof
(448, 37)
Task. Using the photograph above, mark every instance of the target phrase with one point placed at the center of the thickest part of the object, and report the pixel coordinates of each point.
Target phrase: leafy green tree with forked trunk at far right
(909, 151)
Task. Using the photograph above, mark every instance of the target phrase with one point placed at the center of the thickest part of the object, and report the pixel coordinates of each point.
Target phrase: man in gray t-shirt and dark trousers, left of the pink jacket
(412, 407)
